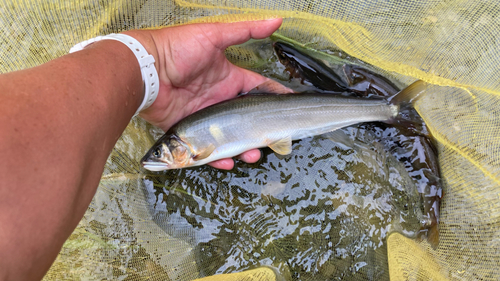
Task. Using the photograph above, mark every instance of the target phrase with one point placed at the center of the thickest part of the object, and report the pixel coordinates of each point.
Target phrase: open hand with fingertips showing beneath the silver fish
(194, 72)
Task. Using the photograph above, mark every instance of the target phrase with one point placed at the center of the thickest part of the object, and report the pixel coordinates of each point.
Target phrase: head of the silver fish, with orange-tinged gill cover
(169, 152)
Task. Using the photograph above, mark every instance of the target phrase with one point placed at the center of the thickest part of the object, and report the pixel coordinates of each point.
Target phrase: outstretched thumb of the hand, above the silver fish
(240, 32)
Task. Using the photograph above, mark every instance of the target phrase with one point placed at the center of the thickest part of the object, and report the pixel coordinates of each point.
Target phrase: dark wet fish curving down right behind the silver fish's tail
(412, 146)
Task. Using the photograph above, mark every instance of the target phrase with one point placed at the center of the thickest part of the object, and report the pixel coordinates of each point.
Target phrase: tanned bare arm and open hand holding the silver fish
(59, 121)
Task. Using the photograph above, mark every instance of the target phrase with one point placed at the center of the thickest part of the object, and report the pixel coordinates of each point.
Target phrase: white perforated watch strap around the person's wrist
(146, 62)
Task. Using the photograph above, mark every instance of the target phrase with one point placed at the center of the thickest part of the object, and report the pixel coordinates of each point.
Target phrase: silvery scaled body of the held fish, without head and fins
(257, 120)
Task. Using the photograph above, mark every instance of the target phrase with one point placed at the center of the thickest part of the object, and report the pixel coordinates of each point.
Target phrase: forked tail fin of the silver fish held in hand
(407, 117)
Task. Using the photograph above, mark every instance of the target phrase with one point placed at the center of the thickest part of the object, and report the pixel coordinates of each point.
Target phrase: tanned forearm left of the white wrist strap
(59, 123)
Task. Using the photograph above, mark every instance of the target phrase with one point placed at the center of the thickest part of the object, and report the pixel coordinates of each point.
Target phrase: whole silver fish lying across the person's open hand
(232, 127)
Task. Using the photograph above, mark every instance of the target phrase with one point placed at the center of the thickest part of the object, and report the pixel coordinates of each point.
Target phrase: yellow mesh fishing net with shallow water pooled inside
(277, 219)
